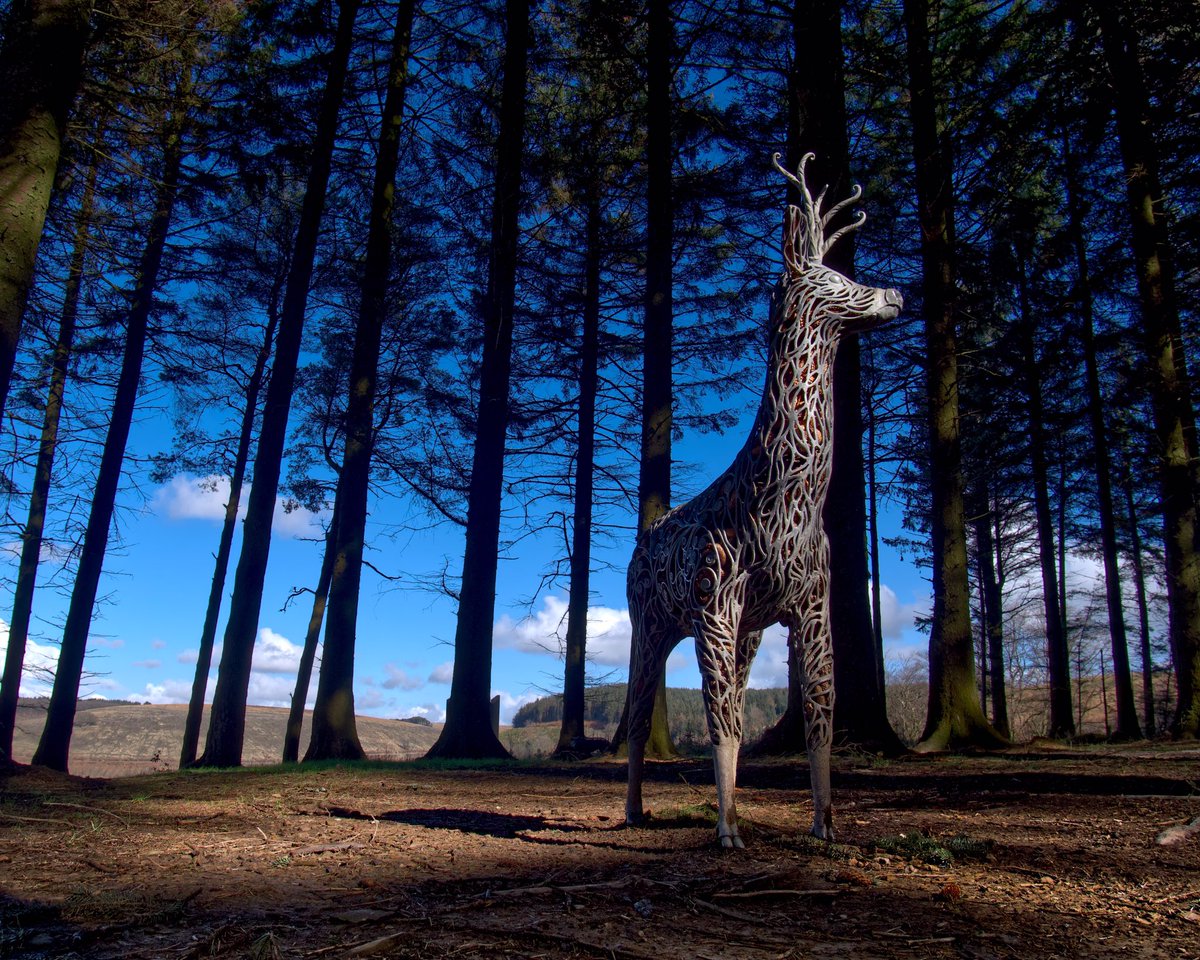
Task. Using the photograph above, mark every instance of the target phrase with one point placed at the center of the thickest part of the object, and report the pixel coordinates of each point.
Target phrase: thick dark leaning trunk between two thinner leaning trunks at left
(227, 722)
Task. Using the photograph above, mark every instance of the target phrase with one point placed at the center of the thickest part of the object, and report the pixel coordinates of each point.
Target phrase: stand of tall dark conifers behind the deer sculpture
(487, 263)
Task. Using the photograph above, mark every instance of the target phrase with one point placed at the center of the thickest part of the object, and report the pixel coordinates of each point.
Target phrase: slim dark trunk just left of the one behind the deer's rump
(585, 469)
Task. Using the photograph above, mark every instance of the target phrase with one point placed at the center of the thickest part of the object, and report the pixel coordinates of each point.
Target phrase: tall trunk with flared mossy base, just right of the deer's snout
(955, 718)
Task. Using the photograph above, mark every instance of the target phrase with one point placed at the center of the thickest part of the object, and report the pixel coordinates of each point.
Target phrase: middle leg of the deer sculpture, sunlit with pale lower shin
(724, 670)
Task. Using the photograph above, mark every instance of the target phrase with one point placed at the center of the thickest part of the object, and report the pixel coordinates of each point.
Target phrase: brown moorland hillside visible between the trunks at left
(118, 739)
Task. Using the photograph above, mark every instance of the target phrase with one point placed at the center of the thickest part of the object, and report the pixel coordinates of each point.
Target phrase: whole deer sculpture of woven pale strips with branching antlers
(751, 550)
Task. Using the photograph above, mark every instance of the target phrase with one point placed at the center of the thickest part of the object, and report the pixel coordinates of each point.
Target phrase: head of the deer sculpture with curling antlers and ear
(851, 305)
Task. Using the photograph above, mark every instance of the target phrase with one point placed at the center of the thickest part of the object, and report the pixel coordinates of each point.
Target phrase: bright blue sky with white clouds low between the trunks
(145, 637)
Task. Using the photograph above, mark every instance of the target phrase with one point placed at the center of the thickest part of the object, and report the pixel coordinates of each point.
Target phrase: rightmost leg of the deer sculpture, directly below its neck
(812, 633)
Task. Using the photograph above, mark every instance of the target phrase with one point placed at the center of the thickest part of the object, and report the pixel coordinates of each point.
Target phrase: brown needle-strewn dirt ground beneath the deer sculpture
(1033, 855)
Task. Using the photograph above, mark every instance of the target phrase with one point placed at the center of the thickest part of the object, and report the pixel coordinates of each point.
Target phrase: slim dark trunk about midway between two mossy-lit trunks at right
(1063, 724)
